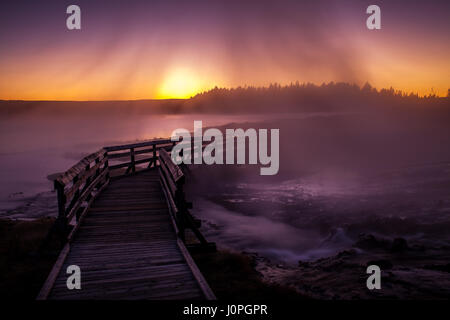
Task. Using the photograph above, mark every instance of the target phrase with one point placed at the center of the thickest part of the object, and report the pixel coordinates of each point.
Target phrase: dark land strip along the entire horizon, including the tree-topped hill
(296, 97)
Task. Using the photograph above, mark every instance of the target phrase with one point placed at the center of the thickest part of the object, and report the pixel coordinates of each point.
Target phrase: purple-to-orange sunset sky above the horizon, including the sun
(174, 49)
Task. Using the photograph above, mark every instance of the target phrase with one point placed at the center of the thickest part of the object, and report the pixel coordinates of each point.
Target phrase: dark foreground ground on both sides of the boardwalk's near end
(408, 271)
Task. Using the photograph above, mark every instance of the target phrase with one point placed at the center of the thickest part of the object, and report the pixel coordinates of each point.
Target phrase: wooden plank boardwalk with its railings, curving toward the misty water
(125, 224)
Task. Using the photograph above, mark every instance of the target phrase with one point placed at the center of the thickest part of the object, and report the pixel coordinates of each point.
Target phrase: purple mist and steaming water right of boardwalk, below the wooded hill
(341, 177)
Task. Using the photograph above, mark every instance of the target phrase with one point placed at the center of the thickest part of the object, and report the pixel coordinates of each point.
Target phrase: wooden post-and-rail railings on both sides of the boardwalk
(78, 187)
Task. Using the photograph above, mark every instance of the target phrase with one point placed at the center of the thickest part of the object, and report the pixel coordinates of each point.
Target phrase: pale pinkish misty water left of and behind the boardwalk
(34, 146)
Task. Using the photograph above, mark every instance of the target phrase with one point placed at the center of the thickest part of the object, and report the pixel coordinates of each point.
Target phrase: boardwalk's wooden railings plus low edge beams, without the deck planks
(78, 187)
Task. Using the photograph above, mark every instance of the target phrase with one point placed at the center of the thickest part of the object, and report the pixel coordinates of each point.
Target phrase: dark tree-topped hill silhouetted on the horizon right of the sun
(331, 96)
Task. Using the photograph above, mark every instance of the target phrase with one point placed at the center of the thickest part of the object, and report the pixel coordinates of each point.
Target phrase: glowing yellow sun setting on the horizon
(179, 84)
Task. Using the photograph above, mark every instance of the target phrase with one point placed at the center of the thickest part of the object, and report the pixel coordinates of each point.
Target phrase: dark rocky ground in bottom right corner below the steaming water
(407, 272)
